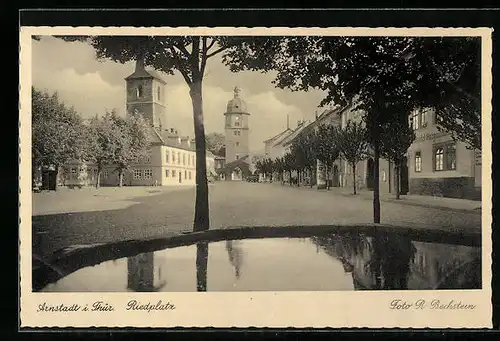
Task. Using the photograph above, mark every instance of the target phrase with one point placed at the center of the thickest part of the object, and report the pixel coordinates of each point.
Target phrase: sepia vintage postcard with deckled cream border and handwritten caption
(255, 177)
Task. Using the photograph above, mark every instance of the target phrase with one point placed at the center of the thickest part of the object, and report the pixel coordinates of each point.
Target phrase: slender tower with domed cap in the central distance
(236, 128)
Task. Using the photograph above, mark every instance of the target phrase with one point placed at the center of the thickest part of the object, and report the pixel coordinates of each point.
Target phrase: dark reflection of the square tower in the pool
(142, 273)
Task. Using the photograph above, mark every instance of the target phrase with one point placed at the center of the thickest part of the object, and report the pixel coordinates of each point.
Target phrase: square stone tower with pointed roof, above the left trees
(146, 95)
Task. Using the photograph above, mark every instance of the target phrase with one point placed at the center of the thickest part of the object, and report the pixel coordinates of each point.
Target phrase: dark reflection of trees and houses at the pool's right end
(393, 262)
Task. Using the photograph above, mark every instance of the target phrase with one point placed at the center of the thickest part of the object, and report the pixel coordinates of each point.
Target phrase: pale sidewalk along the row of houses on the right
(452, 204)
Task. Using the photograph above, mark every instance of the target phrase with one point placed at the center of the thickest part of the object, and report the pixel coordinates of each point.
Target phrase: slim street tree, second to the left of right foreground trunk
(326, 148)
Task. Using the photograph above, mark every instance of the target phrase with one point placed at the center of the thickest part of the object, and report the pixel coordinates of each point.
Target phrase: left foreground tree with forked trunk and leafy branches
(187, 55)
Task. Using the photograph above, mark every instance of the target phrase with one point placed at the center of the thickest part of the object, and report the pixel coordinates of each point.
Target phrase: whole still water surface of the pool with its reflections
(347, 261)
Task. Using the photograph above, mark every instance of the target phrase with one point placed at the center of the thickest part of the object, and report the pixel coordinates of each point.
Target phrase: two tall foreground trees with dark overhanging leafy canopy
(376, 74)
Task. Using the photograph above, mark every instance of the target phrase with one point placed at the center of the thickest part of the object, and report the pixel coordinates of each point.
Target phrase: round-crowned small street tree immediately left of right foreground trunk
(352, 144)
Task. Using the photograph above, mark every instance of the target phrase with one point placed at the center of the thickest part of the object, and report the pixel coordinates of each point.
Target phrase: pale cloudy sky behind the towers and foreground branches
(93, 86)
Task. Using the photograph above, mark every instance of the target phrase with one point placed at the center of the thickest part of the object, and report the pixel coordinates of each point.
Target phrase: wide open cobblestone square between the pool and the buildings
(158, 212)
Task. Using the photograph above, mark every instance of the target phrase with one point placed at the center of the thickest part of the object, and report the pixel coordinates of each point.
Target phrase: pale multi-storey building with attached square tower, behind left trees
(172, 157)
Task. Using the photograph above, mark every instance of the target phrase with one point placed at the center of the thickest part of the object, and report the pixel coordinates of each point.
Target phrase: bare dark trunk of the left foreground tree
(201, 213)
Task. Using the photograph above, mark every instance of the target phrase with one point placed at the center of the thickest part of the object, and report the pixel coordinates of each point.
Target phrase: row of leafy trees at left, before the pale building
(60, 135)
